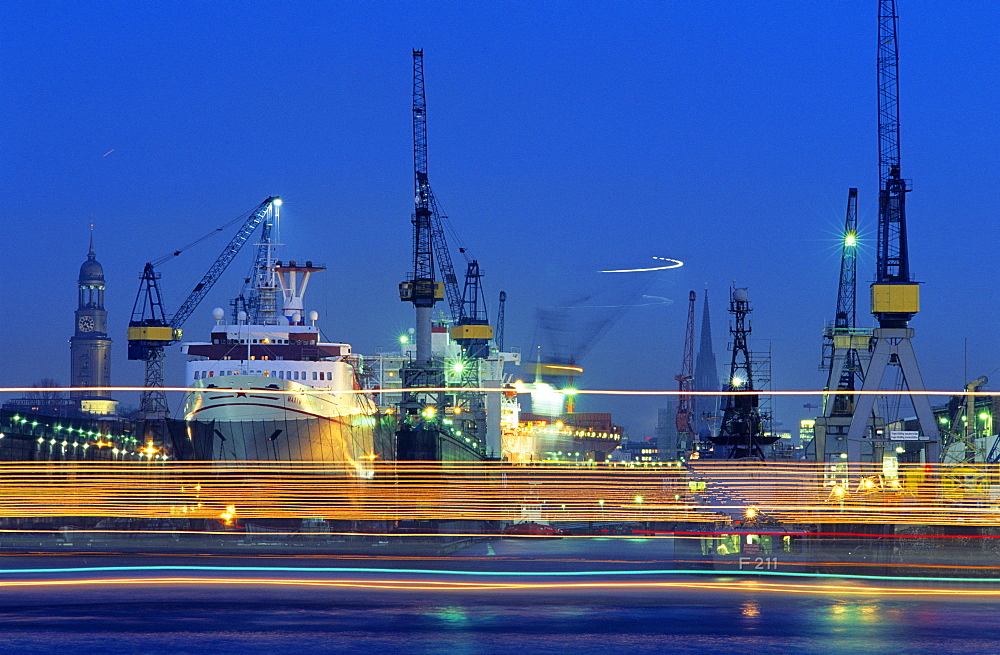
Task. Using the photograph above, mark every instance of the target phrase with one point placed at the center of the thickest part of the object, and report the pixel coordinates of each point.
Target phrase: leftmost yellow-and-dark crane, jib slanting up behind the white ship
(151, 329)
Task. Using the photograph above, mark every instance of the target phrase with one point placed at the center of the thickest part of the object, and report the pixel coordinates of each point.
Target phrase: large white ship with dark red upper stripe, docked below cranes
(273, 389)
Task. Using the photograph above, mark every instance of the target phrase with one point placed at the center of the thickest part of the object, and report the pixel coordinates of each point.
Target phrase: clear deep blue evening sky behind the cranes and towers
(564, 139)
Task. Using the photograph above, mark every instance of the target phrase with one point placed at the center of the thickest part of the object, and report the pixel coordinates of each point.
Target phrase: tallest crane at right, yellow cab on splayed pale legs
(894, 295)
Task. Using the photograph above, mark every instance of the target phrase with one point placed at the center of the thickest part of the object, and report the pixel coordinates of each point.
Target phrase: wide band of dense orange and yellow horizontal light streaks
(794, 493)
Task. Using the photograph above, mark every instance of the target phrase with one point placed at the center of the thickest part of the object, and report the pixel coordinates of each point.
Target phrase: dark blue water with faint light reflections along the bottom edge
(459, 623)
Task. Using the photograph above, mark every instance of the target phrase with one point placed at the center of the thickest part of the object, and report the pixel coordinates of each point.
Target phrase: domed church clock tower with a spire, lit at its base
(90, 347)
